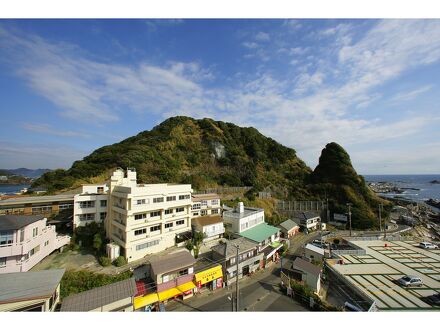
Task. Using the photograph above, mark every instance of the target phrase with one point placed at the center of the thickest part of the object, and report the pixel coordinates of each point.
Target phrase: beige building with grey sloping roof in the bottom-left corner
(30, 291)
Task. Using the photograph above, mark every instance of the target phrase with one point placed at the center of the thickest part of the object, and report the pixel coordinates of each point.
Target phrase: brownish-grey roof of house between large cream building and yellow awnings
(171, 262)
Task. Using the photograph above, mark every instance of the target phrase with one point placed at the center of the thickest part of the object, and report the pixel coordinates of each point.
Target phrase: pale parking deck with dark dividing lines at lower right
(375, 273)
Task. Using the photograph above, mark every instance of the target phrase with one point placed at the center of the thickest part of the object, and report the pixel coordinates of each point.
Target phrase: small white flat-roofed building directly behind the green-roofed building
(243, 218)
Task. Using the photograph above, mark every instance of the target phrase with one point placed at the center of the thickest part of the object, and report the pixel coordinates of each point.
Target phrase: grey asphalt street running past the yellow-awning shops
(260, 292)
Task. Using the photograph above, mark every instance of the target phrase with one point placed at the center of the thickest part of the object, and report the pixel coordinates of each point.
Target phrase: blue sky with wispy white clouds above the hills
(68, 87)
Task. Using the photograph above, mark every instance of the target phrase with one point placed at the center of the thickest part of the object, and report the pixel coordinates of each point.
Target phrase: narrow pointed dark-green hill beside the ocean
(336, 178)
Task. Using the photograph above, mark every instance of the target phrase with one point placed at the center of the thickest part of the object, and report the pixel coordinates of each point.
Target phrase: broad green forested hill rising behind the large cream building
(205, 153)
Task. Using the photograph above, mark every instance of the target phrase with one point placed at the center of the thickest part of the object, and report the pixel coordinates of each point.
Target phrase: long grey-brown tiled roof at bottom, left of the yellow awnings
(101, 296)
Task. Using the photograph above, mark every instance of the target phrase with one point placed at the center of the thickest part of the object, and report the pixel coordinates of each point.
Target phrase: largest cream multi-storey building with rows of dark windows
(145, 218)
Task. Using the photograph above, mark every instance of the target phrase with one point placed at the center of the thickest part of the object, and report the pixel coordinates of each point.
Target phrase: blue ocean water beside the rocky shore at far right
(427, 190)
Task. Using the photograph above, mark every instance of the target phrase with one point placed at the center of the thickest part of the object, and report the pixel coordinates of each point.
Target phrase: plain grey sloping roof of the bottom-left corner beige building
(23, 286)
